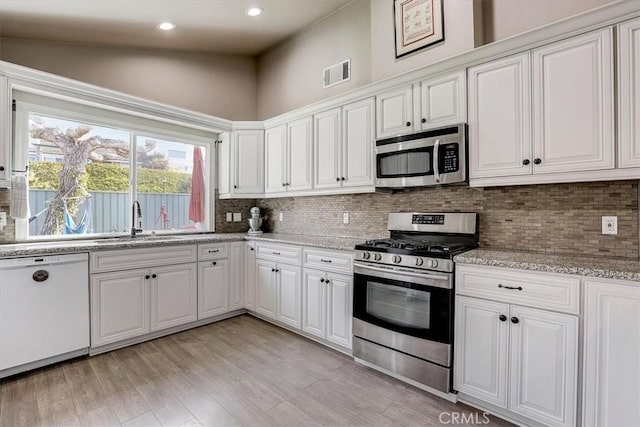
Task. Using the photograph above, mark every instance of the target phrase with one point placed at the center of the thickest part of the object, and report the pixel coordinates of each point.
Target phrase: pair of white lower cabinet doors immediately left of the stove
(327, 306)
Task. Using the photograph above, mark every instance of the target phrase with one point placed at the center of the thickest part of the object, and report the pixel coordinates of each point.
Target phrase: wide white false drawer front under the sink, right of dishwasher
(126, 259)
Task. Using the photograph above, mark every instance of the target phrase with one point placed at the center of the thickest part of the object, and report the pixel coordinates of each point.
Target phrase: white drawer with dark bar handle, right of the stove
(539, 290)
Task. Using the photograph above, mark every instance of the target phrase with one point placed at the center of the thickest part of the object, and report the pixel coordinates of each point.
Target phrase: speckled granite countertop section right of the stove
(608, 268)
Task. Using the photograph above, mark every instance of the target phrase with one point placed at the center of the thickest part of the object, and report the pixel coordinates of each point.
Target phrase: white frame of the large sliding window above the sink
(128, 121)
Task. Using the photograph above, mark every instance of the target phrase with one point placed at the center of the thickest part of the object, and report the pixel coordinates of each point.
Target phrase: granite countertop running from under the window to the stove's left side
(74, 246)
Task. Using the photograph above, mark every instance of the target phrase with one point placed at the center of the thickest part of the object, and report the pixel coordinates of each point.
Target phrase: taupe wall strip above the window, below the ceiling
(220, 85)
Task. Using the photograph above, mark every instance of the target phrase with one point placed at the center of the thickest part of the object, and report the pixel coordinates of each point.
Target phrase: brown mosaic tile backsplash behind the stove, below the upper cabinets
(553, 218)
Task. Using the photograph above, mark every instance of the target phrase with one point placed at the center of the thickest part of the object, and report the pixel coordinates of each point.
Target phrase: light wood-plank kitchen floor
(240, 371)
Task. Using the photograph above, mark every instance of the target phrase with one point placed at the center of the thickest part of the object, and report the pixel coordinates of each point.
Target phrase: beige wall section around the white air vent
(290, 74)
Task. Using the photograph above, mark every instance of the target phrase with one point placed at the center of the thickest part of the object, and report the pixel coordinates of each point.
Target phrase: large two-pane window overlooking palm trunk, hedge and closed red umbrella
(87, 166)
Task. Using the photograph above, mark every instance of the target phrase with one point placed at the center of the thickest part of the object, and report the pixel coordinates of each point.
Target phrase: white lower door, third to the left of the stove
(289, 295)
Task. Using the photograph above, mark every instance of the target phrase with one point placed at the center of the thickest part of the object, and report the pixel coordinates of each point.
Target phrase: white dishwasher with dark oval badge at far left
(44, 311)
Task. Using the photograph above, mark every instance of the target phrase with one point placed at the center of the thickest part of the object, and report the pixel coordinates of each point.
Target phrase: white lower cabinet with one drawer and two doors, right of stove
(521, 360)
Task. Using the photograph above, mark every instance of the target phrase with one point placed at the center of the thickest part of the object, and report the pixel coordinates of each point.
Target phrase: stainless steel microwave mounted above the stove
(433, 157)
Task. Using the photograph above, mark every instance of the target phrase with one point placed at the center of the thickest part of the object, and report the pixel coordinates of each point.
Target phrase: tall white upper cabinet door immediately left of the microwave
(358, 160)
